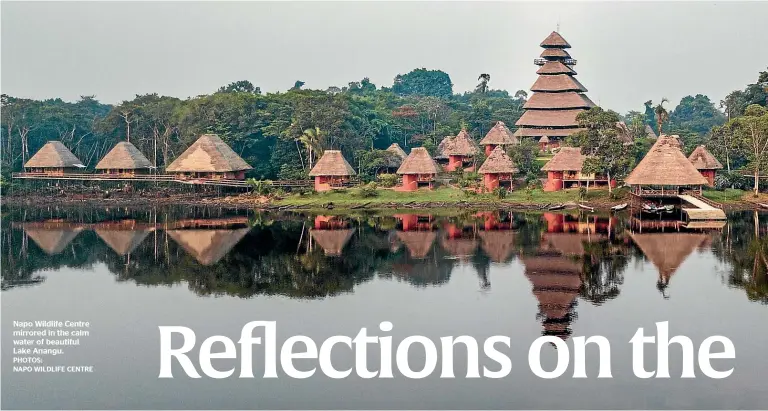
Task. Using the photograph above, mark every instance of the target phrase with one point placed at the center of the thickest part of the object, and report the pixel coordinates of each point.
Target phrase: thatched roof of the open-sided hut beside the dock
(665, 165)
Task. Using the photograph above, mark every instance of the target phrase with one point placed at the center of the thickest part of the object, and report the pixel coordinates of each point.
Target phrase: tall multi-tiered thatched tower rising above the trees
(557, 96)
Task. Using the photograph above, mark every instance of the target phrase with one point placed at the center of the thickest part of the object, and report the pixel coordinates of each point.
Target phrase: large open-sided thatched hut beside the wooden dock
(664, 171)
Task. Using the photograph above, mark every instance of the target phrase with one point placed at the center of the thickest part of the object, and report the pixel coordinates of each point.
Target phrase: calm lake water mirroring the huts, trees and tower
(480, 274)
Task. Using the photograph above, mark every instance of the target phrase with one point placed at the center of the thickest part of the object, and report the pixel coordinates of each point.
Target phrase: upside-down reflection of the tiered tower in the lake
(556, 282)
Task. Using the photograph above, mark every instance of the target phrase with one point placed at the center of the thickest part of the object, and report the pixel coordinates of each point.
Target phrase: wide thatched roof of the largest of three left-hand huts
(208, 154)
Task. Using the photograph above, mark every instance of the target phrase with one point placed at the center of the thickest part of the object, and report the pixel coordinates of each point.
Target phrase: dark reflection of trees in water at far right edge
(743, 246)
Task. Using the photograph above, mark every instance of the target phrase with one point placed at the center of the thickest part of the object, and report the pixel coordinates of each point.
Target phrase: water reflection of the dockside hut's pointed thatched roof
(668, 251)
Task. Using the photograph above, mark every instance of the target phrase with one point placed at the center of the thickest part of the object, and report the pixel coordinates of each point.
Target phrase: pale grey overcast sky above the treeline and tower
(627, 52)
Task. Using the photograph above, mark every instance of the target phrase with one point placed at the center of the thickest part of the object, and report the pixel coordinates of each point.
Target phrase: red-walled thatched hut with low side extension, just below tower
(564, 170)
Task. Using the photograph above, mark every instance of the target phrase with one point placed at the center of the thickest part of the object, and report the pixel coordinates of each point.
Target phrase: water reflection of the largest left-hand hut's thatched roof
(208, 246)
